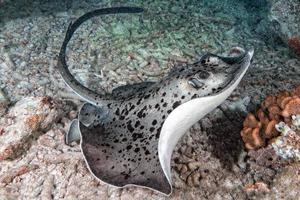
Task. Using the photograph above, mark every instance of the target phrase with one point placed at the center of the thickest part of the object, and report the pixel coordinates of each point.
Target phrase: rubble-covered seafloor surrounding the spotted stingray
(117, 50)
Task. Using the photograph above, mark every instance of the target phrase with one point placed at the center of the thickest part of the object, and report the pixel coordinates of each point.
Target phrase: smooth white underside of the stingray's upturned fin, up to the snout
(187, 114)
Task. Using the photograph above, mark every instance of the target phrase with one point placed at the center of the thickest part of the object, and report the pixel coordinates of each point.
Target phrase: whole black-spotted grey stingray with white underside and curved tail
(127, 137)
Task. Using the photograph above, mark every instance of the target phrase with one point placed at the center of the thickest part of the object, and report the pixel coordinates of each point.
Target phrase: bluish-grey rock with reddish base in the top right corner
(286, 13)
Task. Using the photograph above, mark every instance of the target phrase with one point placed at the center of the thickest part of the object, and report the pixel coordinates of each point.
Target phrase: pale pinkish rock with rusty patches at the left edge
(25, 121)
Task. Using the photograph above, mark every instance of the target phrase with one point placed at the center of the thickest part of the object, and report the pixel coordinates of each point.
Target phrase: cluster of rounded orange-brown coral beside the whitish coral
(259, 129)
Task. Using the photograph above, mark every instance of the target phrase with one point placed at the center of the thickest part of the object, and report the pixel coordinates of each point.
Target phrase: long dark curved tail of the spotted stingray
(84, 92)
